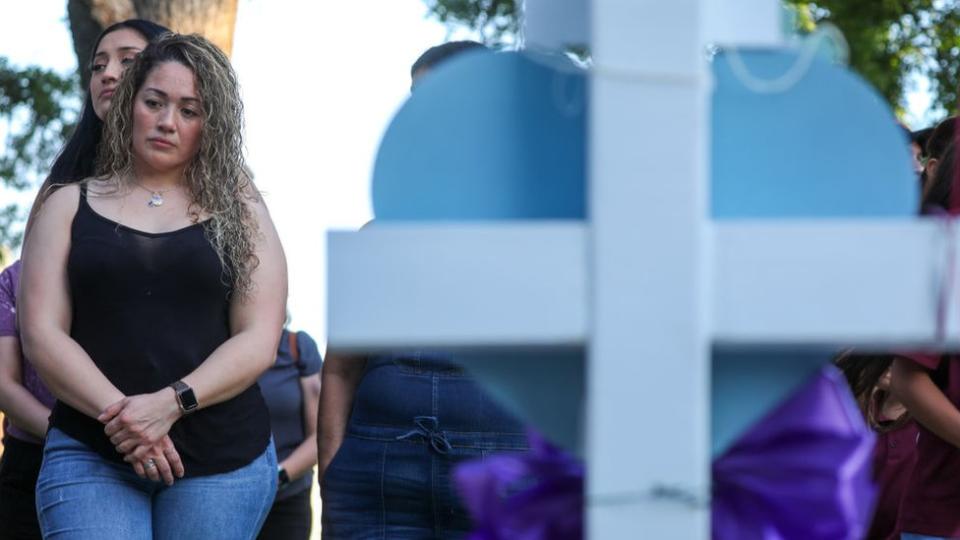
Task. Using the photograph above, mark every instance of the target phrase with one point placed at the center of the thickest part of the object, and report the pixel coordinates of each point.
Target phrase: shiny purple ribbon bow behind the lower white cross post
(804, 471)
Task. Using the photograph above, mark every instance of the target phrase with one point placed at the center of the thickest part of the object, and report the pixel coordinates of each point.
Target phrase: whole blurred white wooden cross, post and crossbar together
(649, 283)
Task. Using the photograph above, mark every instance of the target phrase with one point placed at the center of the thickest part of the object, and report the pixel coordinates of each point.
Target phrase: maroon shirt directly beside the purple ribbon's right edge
(894, 458)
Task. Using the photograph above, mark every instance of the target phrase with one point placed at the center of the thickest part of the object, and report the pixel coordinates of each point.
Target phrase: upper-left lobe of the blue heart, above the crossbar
(487, 136)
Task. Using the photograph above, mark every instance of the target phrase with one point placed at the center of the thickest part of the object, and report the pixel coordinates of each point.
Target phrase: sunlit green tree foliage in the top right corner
(892, 41)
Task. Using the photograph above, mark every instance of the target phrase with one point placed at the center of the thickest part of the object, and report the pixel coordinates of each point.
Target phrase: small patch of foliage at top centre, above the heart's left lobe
(494, 20)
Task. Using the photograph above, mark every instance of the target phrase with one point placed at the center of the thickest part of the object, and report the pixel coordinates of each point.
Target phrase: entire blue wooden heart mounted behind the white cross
(501, 136)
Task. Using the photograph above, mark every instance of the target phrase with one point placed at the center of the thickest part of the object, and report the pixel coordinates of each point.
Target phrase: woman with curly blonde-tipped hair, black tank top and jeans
(152, 298)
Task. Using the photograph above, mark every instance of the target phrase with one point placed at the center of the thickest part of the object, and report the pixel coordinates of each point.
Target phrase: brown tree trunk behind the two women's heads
(213, 19)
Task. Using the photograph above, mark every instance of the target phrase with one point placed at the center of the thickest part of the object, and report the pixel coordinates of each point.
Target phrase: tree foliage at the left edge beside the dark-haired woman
(38, 108)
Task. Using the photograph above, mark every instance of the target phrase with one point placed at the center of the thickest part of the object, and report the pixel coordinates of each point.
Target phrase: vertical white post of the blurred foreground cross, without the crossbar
(648, 376)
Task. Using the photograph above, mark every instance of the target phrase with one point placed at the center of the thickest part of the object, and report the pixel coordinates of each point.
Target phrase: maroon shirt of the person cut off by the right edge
(931, 501)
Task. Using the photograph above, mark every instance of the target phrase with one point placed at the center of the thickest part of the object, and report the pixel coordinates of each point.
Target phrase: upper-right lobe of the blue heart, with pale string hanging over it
(827, 147)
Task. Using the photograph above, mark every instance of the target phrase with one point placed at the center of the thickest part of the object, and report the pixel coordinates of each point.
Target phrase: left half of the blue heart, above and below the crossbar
(496, 136)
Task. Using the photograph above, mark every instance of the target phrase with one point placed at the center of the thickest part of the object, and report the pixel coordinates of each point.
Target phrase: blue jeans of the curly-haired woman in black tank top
(81, 496)
